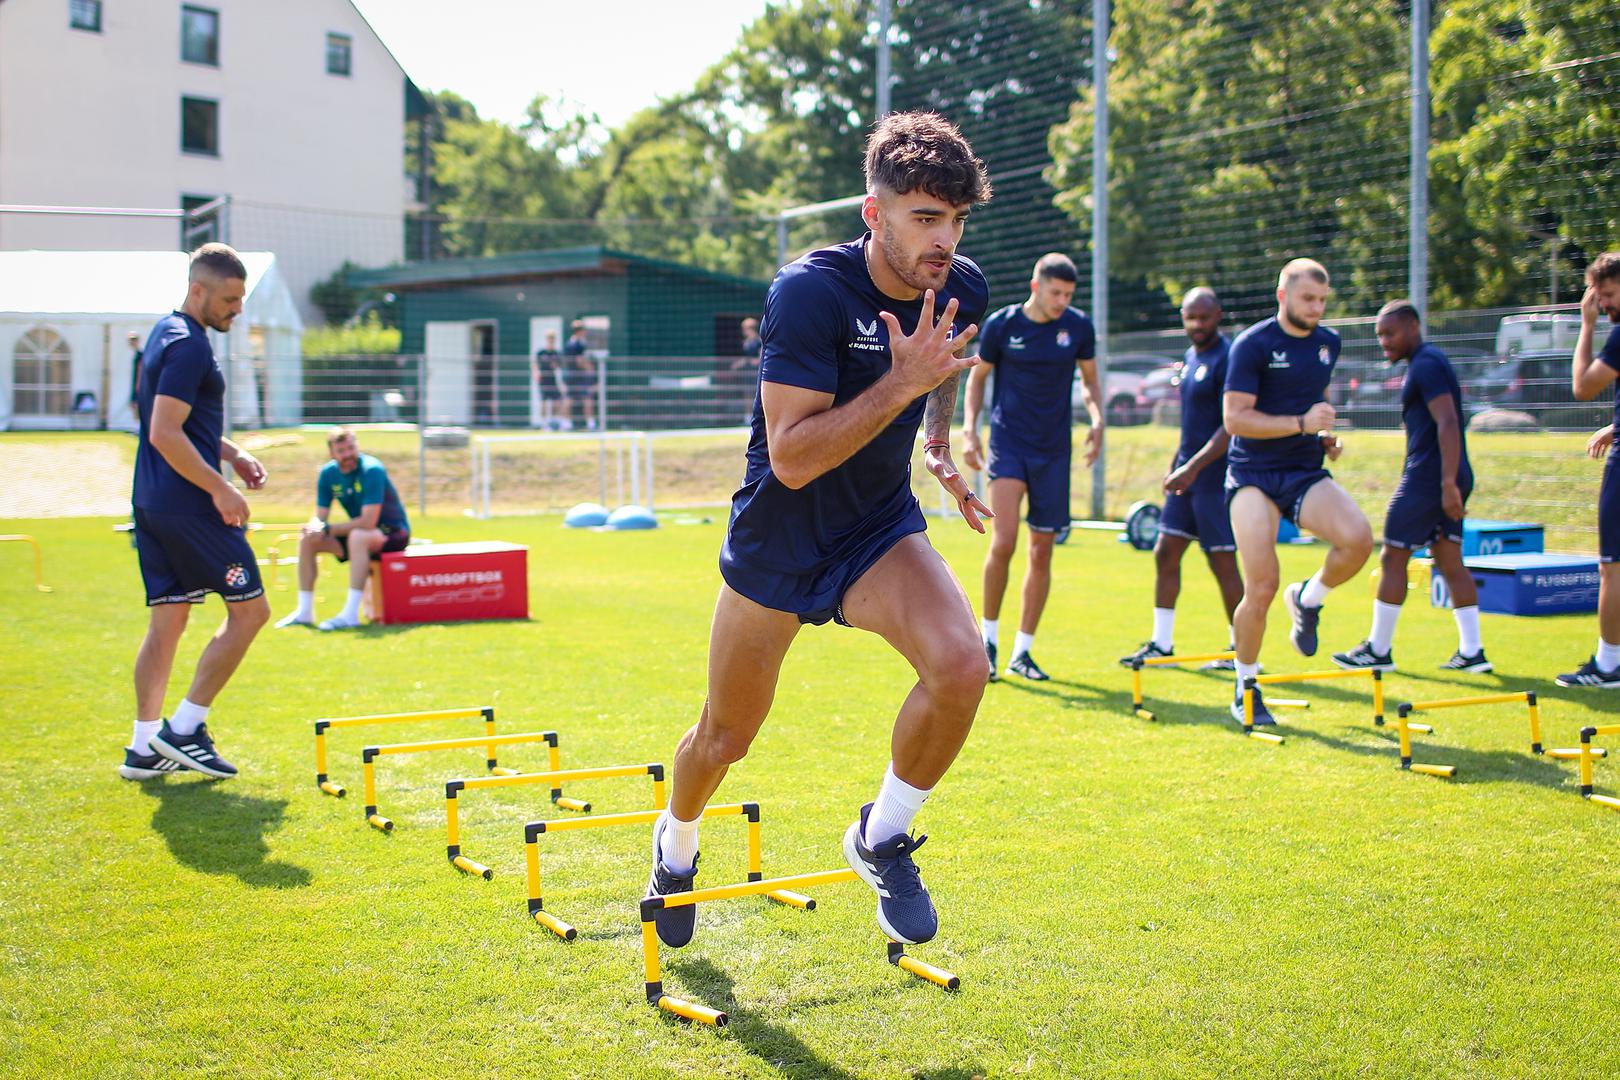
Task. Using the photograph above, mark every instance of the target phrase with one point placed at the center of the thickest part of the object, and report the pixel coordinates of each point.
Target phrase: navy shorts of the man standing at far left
(187, 556)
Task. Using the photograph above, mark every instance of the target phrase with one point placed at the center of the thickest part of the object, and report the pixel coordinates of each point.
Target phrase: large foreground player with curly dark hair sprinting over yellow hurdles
(863, 342)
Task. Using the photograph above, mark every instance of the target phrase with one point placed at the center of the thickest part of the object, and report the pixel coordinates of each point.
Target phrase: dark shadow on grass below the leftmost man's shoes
(216, 831)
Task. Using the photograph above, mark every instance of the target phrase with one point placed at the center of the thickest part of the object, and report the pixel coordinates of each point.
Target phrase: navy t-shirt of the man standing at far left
(179, 364)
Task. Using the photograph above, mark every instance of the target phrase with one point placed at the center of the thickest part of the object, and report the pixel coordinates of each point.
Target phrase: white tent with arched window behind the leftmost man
(66, 362)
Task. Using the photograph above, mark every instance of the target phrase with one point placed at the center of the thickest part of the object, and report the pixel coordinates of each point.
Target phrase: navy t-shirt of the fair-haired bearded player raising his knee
(1287, 376)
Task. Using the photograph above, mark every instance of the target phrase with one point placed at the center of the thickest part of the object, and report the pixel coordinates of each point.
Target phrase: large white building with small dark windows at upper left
(294, 109)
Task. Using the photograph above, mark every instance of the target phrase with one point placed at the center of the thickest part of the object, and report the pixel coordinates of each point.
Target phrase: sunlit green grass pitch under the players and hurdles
(1120, 898)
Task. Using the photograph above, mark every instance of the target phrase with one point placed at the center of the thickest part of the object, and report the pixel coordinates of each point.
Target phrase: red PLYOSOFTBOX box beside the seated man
(454, 584)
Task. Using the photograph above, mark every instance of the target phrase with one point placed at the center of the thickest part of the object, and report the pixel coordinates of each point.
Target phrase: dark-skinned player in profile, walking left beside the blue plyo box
(1430, 500)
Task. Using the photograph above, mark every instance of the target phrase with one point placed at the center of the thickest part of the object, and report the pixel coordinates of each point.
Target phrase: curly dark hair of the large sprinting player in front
(923, 151)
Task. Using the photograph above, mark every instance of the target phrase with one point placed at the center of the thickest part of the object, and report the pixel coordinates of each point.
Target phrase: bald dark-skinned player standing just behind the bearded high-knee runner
(1195, 487)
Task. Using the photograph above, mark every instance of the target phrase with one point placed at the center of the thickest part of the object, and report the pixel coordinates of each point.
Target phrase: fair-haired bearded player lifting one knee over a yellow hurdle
(1281, 425)
